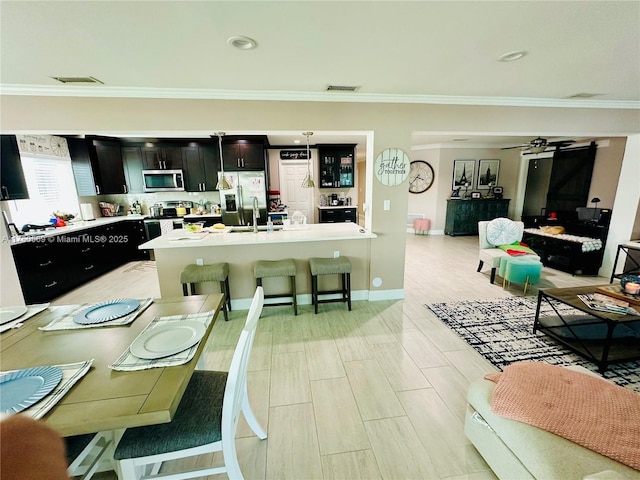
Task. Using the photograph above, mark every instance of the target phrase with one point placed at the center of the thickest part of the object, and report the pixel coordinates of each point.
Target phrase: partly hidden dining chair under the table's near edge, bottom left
(86, 452)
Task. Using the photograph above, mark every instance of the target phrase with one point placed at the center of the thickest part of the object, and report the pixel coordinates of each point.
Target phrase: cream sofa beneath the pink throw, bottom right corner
(515, 450)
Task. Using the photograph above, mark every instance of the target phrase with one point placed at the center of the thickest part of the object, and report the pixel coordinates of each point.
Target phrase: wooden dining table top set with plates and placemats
(104, 398)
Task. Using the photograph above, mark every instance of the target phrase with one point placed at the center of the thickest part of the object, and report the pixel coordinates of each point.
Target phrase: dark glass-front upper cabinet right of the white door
(336, 165)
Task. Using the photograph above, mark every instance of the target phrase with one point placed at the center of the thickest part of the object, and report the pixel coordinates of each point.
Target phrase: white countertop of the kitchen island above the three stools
(318, 232)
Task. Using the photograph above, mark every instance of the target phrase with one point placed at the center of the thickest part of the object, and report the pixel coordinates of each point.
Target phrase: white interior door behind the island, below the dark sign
(292, 194)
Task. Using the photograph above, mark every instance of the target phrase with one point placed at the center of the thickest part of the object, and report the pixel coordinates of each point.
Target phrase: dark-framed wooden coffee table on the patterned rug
(601, 351)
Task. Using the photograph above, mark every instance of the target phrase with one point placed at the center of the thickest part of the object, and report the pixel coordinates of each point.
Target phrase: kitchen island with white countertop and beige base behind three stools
(241, 249)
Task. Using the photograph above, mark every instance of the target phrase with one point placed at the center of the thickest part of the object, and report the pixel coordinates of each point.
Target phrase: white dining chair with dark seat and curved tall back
(205, 421)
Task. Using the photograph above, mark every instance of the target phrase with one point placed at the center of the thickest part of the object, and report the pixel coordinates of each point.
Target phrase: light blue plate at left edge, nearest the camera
(22, 388)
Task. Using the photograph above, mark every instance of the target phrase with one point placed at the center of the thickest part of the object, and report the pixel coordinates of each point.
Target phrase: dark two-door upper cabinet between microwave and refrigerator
(201, 165)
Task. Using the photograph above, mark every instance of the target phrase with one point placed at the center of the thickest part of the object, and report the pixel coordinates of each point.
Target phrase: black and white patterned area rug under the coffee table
(501, 331)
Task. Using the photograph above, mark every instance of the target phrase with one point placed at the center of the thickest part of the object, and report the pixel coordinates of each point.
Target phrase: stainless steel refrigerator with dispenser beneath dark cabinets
(237, 203)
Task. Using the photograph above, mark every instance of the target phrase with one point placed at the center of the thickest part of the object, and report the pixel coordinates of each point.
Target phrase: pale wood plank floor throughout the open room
(378, 392)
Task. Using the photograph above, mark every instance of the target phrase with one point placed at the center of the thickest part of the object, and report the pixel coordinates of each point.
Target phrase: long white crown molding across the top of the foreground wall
(340, 97)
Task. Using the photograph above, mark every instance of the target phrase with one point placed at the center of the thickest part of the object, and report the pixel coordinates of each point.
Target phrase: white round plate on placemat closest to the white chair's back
(167, 339)
